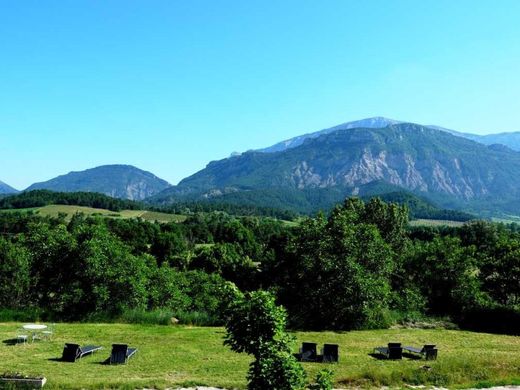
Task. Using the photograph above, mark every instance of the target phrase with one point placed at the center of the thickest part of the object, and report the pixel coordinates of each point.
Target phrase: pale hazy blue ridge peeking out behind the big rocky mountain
(511, 140)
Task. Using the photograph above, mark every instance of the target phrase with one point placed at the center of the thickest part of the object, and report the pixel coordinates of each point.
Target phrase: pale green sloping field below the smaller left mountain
(55, 210)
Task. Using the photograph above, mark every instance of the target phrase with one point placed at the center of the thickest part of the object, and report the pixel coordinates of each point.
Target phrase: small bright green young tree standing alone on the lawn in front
(256, 325)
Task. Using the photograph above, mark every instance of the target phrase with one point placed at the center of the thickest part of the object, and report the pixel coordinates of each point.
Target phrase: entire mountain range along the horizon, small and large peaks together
(372, 156)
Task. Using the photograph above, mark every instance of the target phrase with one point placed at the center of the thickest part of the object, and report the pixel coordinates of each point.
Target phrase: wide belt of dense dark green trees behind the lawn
(359, 267)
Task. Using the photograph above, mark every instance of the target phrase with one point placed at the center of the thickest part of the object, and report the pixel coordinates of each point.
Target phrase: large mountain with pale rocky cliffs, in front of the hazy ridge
(416, 158)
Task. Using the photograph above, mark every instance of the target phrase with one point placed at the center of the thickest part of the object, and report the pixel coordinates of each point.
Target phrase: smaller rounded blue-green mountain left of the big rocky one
(118, 181)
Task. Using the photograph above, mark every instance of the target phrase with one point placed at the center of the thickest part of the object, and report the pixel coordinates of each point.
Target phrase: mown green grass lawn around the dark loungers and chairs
(171, 356)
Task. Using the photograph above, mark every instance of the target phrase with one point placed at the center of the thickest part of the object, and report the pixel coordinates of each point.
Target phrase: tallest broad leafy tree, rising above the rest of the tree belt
(342, 269)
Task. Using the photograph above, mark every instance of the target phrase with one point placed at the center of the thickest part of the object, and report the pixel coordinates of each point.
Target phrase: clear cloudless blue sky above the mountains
(168, 86)
